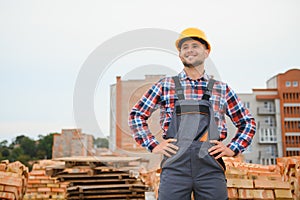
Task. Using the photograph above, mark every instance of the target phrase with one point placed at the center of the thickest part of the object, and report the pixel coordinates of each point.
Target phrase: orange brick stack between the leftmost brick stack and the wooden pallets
(42, 186)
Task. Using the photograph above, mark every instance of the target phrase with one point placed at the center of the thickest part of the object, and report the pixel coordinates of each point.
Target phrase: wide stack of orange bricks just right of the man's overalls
(254, 181)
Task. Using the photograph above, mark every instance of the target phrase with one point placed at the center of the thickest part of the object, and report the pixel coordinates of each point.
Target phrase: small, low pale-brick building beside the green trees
(72, 142)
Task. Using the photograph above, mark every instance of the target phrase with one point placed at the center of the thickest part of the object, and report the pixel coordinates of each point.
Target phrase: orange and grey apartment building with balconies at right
(276, 110)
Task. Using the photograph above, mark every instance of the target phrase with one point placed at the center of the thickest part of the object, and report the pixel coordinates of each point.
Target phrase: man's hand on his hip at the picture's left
(166, 147)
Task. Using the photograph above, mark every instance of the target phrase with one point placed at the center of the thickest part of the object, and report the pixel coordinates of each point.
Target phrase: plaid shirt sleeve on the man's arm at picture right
(242, 119)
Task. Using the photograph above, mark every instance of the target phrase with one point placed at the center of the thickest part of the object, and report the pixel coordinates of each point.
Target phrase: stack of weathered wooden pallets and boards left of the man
(101, 178)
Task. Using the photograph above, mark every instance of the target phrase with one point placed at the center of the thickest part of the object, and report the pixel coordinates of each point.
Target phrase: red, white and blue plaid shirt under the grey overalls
(162, 94)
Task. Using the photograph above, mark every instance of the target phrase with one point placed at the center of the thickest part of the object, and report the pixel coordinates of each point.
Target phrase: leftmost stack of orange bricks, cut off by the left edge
(13, 180)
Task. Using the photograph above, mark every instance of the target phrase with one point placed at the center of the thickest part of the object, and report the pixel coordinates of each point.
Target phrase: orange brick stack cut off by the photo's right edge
(290, 170)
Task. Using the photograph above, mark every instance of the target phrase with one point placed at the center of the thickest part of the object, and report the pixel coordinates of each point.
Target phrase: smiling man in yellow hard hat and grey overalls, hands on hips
(193, 108)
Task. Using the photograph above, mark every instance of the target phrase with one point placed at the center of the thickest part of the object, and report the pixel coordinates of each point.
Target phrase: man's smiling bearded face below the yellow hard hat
(193, 53)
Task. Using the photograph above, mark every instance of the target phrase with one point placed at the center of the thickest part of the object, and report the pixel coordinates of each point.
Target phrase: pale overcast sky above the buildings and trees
(45, 45)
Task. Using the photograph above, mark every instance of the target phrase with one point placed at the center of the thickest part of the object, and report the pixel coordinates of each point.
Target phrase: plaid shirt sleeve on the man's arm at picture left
(140, 113)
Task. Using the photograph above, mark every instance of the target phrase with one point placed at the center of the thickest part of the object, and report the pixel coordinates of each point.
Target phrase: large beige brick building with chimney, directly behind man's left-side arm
(124, 94)
